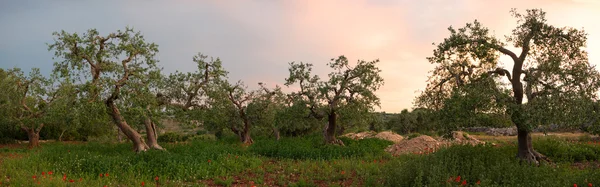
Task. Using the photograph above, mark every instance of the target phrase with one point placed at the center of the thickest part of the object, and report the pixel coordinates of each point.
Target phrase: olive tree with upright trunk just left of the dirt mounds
(347, 87)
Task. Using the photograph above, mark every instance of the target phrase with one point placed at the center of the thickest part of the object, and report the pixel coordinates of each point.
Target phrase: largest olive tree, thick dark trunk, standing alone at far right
(549, 82)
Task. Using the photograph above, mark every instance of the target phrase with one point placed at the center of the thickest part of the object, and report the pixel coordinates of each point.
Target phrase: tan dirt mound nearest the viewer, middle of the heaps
(420, 145)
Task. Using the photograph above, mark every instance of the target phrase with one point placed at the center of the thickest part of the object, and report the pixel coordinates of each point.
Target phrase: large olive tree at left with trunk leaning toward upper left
(109, 68)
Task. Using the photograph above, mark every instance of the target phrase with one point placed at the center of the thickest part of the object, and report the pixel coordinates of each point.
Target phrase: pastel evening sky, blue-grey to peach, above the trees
(256, 39)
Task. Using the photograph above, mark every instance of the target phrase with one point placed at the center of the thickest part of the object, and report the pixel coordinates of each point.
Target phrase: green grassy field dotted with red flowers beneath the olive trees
(296, 162)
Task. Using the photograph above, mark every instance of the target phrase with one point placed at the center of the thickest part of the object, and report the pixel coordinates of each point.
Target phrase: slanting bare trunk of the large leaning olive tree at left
(134, 136)
